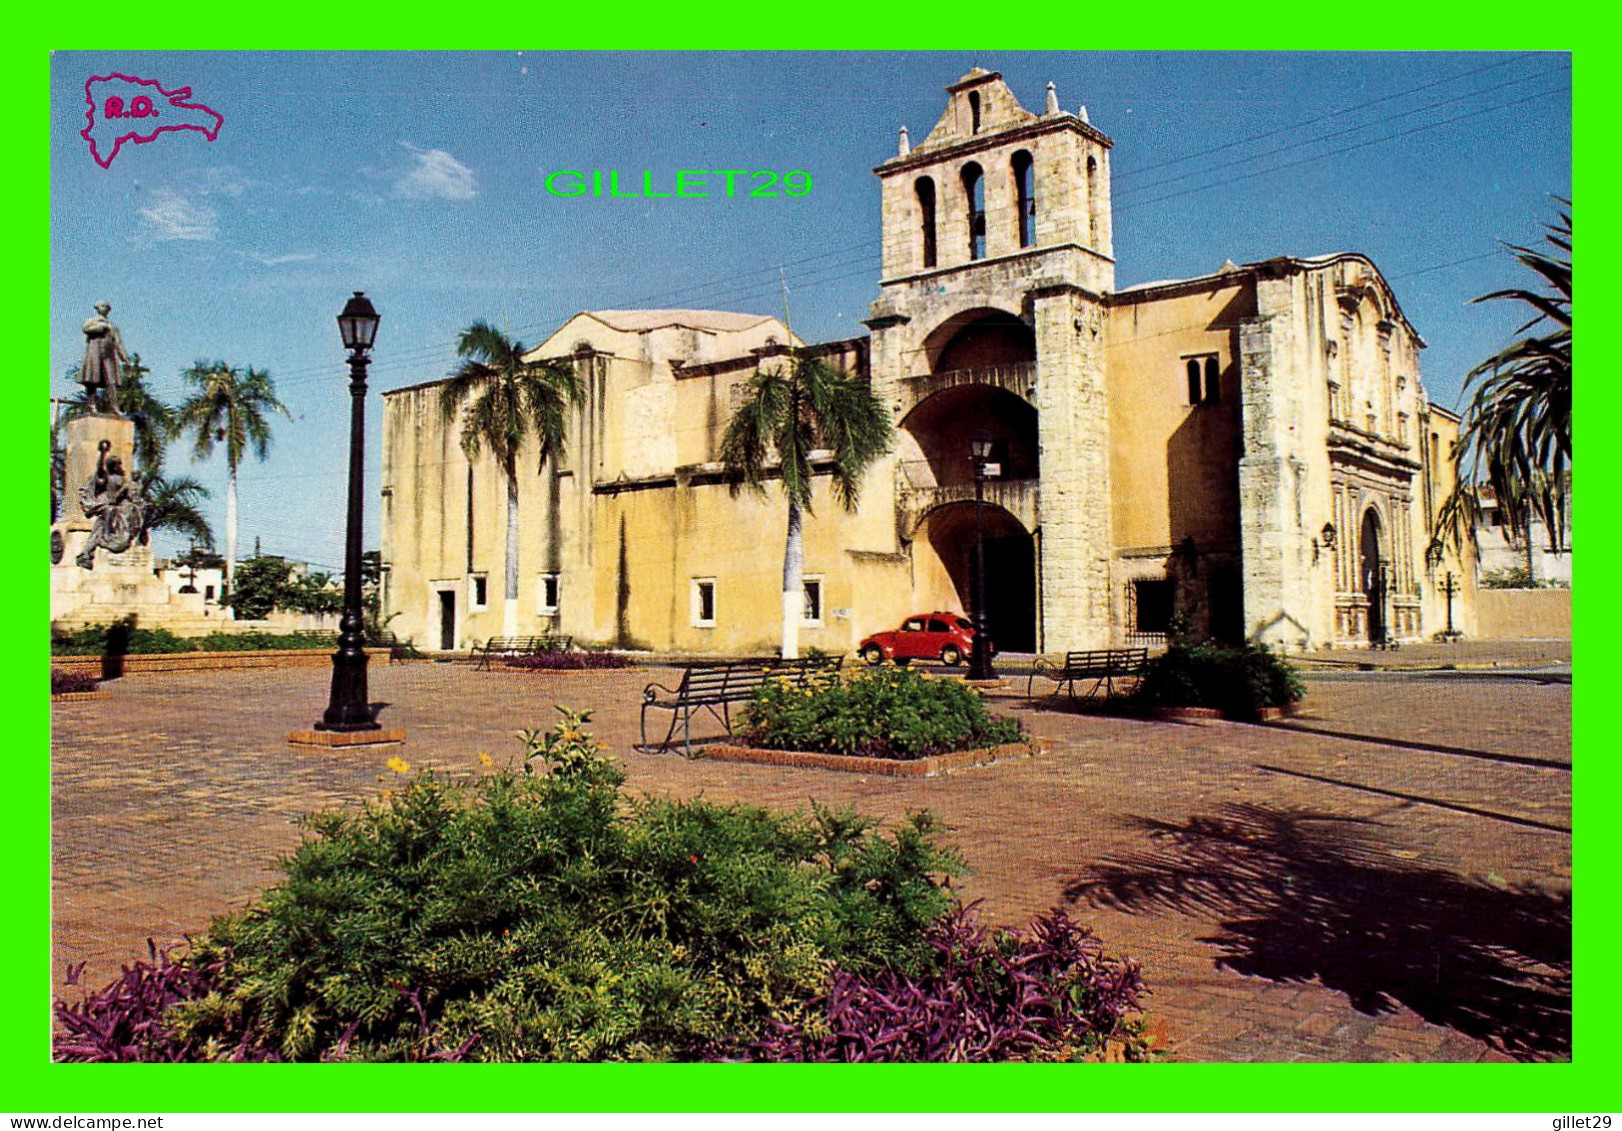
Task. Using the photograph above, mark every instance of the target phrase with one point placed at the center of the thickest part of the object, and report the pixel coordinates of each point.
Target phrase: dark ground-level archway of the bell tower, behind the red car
(948, 538)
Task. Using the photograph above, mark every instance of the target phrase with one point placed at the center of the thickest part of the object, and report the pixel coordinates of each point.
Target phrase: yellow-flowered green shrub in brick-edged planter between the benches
(880, 713)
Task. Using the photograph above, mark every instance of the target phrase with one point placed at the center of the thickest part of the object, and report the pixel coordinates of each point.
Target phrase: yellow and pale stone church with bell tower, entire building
(1248, 452)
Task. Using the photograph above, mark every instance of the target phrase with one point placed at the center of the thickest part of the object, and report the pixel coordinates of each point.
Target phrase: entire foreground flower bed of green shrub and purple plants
(539, 914)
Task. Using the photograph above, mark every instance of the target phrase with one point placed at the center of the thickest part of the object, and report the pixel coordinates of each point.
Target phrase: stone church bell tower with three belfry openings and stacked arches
(997, 262)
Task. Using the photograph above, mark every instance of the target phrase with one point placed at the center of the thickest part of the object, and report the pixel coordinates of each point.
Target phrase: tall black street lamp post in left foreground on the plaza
(350, 708)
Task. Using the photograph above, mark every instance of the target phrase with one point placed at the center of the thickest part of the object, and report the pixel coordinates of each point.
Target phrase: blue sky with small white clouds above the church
(419, 179)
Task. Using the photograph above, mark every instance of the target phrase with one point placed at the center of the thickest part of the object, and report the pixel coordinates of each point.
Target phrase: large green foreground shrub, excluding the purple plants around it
(546, 916)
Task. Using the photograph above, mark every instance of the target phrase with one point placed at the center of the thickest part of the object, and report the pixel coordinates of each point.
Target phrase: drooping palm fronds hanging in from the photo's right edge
(1517, 432)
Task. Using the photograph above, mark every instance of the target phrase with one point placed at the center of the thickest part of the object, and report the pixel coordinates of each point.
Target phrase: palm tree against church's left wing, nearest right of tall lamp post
(507, 402)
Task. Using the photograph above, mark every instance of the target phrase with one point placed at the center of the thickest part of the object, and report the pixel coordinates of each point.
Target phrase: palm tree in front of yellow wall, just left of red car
(791, 413)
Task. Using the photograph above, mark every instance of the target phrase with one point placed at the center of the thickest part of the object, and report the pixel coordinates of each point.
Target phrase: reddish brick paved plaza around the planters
(1384, 879)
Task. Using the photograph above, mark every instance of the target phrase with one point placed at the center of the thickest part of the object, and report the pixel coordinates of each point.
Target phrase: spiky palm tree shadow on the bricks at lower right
(1307, 897)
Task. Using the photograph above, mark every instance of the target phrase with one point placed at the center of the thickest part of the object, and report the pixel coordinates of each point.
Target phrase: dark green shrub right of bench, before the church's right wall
(1235, 681)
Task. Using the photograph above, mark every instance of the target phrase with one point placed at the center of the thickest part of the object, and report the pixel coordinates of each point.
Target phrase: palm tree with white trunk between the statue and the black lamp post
(233, 410)
